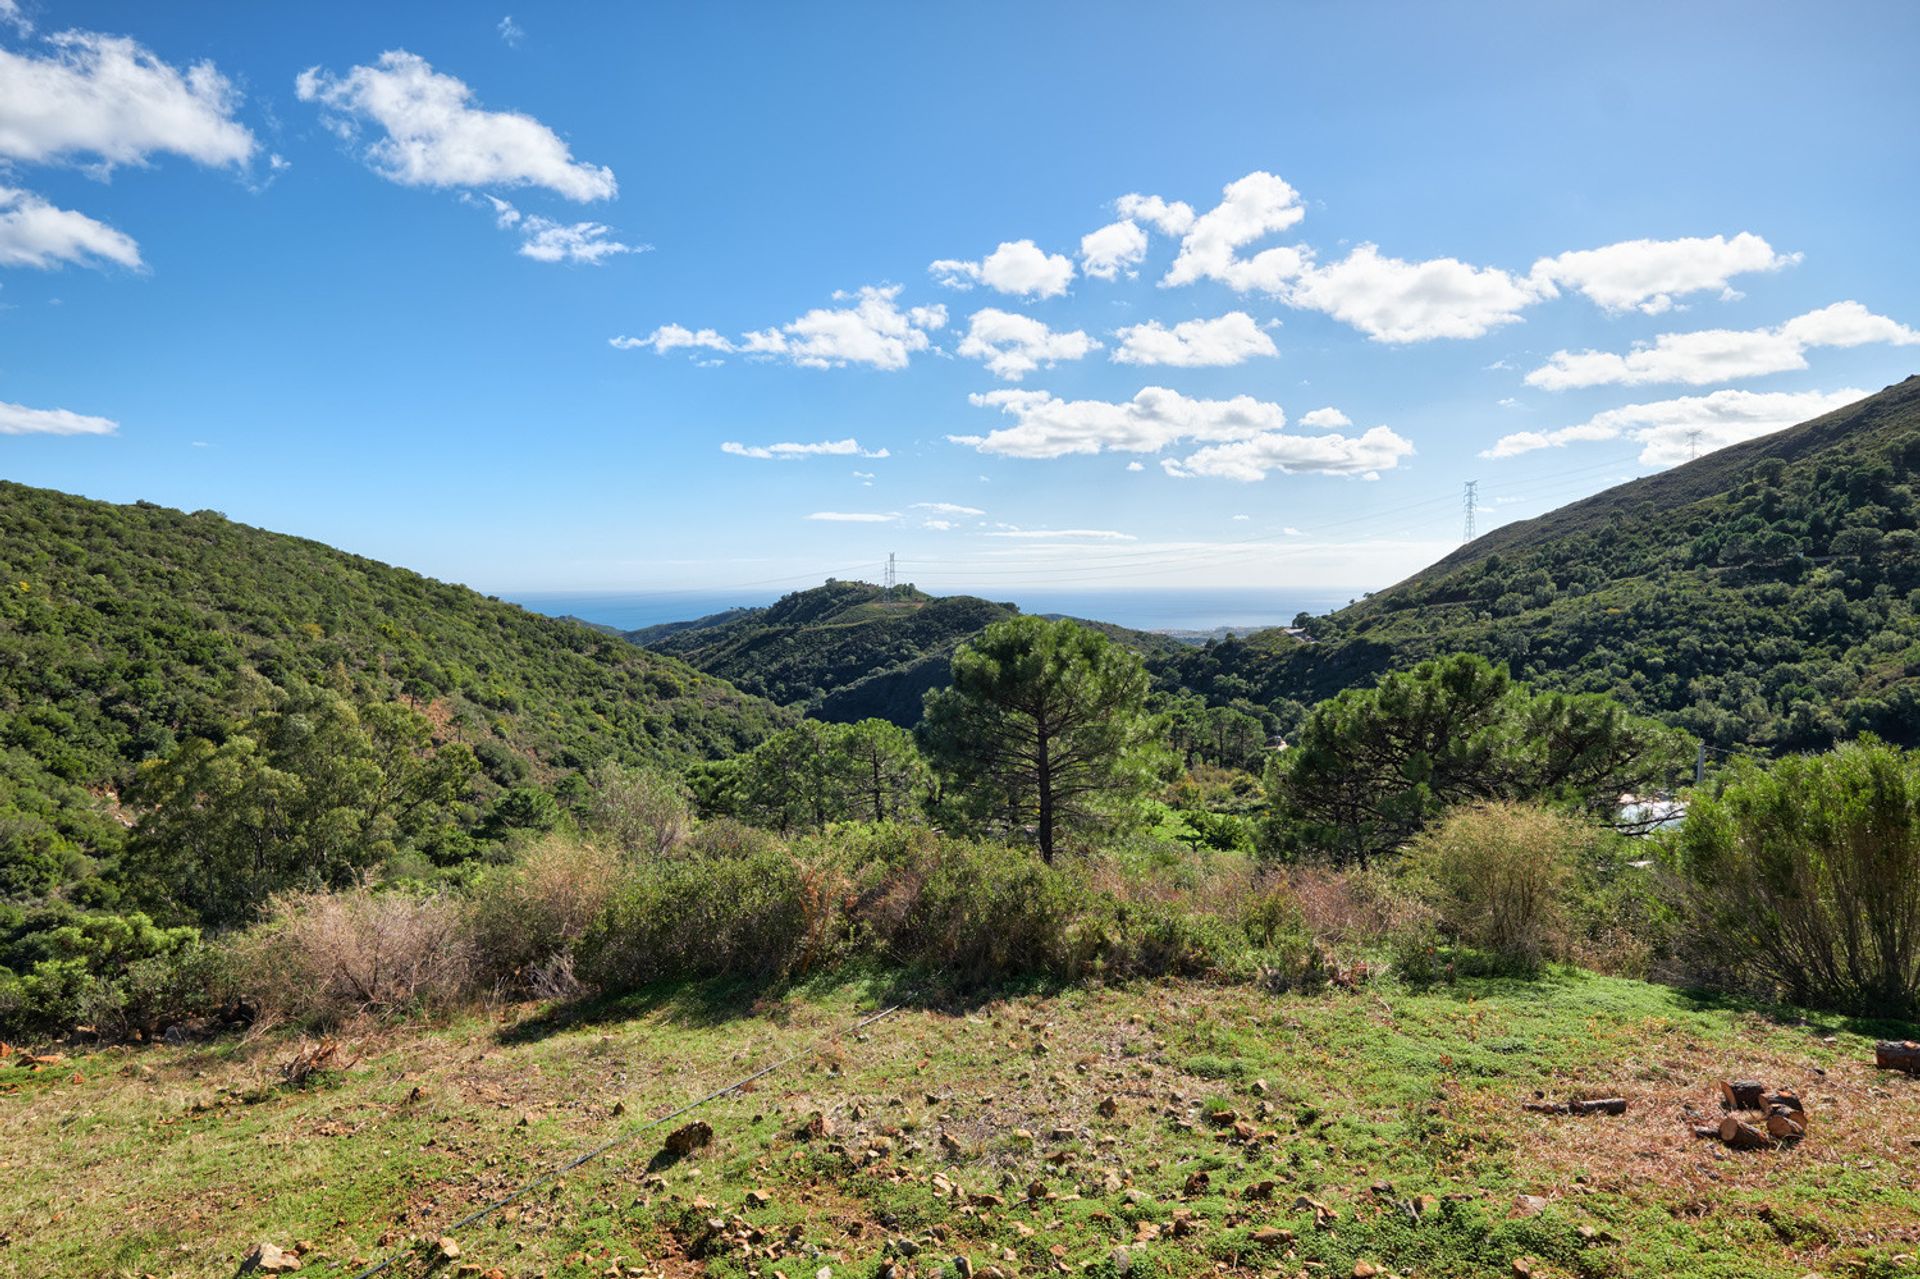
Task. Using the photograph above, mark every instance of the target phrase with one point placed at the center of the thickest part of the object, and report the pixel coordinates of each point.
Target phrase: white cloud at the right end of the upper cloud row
(1648, 276)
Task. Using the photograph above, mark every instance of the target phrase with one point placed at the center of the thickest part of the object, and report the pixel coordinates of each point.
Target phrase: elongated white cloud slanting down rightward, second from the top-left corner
(437, 137)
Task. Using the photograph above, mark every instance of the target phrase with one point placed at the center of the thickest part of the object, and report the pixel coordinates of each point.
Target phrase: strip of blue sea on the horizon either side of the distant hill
(1166, 610)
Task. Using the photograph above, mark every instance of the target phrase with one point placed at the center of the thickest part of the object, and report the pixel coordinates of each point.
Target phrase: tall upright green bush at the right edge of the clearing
(1806, 879)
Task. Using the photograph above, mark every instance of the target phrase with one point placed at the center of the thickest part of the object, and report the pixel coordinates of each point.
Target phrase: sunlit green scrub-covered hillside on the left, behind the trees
(126, 631)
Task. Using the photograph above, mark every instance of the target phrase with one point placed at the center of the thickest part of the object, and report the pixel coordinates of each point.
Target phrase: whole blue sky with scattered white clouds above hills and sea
(491, 297)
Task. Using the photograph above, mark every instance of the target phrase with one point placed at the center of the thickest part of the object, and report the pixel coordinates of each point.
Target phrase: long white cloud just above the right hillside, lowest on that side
(1673, 431)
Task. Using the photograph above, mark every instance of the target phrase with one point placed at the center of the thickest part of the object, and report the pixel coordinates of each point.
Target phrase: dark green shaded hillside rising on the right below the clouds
(1764, 596)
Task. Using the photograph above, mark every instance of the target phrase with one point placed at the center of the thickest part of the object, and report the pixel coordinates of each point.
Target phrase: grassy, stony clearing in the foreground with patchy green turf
(176, 1161)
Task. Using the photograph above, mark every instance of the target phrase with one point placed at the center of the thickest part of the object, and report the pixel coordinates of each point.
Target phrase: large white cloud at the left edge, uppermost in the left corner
(107, 101)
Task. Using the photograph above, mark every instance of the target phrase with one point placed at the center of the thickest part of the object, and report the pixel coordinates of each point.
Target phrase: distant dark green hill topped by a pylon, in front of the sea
(848, 650)
